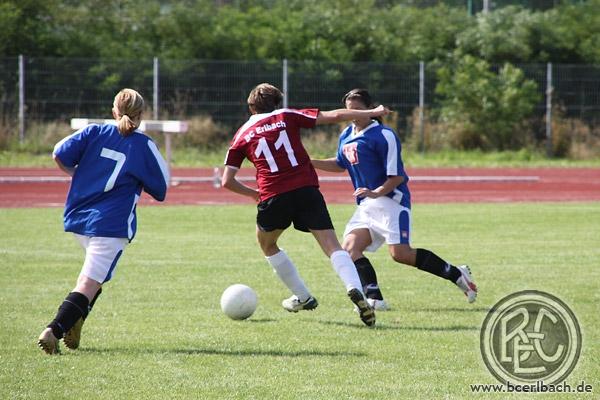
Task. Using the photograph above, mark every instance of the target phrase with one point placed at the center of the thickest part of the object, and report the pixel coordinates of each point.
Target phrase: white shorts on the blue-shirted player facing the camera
(387, 221)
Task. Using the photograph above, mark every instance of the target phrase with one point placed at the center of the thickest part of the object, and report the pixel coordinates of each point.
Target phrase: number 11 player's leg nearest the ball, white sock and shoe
(286, 271)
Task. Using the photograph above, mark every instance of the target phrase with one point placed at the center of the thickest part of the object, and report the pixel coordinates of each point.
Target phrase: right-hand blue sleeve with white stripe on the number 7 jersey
(155, 173)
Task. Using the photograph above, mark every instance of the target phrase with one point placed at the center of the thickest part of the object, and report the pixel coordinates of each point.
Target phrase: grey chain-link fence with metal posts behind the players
(58, 89)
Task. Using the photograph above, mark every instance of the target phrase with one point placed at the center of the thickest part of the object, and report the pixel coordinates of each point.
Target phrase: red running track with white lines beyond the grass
(20, 187)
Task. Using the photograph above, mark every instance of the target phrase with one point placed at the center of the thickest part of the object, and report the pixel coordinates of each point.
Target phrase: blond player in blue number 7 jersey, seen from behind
(110, 166)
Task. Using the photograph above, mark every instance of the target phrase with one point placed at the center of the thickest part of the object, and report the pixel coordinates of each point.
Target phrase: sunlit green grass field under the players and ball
(157, 331)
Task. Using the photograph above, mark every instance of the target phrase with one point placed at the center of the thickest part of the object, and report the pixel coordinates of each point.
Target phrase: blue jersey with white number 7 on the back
(110, 172)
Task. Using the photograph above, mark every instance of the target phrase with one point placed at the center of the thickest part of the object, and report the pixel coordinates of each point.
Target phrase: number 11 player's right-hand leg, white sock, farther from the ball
(345, 269)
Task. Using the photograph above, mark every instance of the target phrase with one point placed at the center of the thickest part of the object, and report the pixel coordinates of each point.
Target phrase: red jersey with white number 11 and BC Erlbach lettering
(272, 143)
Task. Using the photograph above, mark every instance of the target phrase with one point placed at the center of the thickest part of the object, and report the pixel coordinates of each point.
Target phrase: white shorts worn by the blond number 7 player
(101, 256)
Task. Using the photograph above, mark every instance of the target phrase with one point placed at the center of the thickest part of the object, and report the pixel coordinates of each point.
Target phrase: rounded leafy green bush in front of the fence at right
(482, 108)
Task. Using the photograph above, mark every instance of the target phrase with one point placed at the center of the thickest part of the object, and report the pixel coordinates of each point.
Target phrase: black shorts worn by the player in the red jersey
(305, 207)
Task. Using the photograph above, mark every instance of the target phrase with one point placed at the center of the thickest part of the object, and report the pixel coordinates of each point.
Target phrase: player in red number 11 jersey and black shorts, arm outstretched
(288, 190)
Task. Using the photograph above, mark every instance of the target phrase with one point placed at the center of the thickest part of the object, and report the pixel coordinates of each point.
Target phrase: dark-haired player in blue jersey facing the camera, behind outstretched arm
(371, 153)
